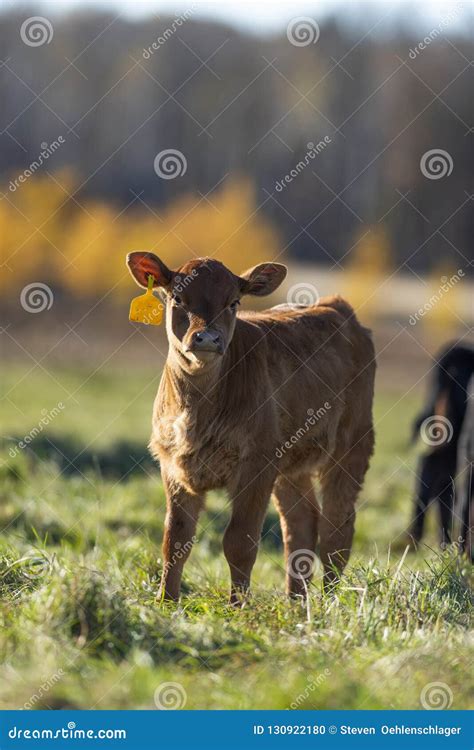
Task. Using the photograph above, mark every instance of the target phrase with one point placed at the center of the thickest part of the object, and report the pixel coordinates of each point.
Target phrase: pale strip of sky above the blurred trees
(273, 15)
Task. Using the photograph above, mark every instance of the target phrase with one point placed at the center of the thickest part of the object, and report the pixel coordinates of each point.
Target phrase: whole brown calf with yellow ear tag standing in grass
(258, 403)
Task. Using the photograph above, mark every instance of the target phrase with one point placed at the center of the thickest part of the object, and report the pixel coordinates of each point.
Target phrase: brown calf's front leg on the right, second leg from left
(250, 497)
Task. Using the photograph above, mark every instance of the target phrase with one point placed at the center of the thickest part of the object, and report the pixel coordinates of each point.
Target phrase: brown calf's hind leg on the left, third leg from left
(298, 509)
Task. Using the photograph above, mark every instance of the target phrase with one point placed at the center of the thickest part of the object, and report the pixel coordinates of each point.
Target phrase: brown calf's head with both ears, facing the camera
(202, 298)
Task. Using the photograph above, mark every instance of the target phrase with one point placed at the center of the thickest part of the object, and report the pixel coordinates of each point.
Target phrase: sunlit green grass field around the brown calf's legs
(81, 513)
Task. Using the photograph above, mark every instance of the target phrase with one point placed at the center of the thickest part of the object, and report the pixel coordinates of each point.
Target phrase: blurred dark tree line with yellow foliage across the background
(242, 110)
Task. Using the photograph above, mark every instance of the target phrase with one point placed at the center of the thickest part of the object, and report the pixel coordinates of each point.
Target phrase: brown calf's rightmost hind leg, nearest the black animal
(341, 483)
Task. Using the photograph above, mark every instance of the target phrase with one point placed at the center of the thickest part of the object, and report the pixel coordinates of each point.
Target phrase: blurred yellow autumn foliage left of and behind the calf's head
(49, 234)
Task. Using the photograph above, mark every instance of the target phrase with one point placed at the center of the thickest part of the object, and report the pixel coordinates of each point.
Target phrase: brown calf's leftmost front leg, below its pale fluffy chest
(179, 535)
